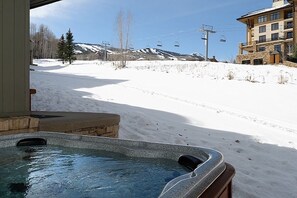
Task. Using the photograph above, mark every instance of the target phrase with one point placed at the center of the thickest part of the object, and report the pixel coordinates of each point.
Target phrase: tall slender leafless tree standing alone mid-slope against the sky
(123, 29)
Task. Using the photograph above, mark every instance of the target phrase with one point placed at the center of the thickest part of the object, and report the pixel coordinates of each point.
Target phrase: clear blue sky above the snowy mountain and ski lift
(167, 21)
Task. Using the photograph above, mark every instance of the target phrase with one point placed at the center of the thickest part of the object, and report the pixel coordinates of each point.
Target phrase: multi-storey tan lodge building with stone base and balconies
(270, 34)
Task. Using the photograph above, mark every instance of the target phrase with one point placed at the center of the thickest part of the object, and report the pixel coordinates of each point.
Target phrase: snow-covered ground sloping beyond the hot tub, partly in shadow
(249, 113)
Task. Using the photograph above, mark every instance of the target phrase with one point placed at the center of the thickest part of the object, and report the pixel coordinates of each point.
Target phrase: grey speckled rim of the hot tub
(185, 185)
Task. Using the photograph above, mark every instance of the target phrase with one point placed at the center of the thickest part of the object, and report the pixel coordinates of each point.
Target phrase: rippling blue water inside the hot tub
(54, 171)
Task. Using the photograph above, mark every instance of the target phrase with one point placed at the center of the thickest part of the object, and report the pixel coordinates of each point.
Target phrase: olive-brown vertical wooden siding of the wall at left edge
(14, 54)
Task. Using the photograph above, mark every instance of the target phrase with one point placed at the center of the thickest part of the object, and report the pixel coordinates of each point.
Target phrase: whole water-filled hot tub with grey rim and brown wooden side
(200, 172)
